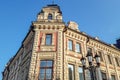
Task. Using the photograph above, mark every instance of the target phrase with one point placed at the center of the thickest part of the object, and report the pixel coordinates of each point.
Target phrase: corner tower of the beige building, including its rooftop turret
(47, 56)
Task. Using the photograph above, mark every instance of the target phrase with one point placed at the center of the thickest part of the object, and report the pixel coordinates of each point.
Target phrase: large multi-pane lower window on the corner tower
(46, 68)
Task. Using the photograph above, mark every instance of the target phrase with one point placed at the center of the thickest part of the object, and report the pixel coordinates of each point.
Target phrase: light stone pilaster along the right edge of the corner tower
(59, 60)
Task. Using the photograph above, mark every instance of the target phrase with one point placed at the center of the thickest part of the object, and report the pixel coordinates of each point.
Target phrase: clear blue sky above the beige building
(95, 17)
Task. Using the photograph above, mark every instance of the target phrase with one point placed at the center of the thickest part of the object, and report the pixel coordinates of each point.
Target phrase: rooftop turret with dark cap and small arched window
(50, 13)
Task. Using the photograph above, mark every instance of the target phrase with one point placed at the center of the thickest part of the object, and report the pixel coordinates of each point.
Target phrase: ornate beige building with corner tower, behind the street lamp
(52, 51)
